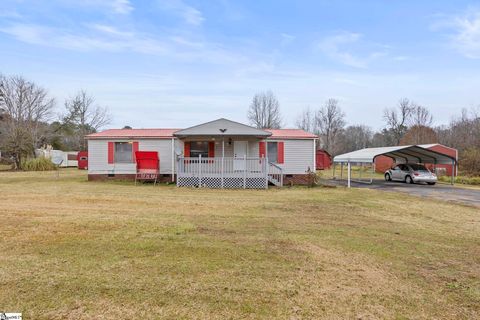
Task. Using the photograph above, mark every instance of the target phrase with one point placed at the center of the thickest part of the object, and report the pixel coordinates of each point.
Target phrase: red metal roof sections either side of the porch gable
(168, 133)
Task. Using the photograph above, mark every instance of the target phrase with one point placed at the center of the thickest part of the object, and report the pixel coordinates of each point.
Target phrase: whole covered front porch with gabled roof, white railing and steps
(226, 154)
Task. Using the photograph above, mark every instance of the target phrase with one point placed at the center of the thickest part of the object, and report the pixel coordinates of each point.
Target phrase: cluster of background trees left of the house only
(28, 120)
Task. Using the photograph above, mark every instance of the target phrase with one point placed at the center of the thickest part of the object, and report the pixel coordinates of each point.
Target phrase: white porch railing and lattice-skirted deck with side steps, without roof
(227, 172)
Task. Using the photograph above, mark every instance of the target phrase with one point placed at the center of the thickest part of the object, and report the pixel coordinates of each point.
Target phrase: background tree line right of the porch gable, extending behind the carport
(407, 123)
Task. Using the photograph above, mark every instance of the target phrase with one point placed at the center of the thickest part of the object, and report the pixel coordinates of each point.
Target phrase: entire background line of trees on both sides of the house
(28, 121)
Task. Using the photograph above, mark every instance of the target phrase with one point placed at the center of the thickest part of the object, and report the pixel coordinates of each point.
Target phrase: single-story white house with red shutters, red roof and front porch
(217, 154)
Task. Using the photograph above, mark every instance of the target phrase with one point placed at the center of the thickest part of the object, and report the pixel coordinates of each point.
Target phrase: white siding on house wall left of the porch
(98, 156)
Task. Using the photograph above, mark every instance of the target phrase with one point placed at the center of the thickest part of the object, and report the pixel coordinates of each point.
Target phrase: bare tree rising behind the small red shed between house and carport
(330, 121)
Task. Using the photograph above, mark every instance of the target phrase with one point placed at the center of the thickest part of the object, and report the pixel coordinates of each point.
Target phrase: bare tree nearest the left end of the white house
(84, 117)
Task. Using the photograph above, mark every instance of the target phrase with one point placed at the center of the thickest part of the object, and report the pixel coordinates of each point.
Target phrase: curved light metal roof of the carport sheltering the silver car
(400, 154)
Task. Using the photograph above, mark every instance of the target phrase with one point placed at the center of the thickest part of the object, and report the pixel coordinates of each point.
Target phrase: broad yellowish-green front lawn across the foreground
(73, 249)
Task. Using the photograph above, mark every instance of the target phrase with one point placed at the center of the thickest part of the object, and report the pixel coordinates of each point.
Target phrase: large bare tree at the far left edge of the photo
(26, 108)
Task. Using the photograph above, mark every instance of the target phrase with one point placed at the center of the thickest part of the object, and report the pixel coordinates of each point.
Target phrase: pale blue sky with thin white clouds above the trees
(176, 63)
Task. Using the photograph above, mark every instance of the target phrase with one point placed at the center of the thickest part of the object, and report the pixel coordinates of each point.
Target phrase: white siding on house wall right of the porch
(298, 156)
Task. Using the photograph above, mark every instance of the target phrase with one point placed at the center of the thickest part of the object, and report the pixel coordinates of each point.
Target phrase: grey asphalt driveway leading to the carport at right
(469, 196)
